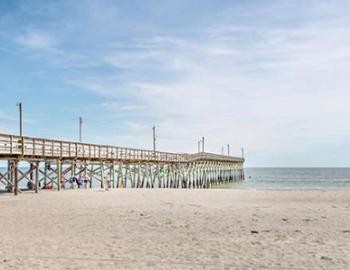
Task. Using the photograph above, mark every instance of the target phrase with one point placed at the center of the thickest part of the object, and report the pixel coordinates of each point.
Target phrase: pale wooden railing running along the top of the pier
(31, 147)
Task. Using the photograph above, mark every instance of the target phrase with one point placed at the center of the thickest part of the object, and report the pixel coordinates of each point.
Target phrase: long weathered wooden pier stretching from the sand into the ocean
(54, 164)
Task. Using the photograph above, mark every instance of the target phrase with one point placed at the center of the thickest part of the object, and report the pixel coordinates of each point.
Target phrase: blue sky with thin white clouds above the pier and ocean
(270, 76)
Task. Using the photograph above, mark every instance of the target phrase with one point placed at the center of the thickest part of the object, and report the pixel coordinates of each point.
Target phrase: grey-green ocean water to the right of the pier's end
(335, 179)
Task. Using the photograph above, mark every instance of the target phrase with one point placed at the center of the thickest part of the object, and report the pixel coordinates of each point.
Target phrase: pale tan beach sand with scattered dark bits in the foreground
(175, 229)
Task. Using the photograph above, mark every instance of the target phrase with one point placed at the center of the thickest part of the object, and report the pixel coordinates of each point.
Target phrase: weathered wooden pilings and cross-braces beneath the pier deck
(196, 174)
